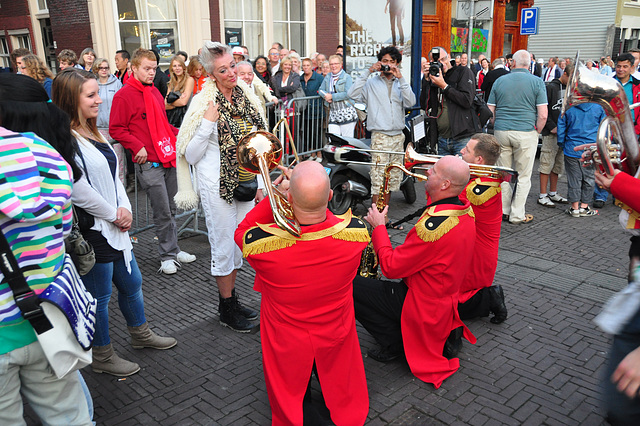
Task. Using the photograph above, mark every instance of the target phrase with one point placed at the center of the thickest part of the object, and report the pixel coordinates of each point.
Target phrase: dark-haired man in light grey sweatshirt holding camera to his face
(386, 96)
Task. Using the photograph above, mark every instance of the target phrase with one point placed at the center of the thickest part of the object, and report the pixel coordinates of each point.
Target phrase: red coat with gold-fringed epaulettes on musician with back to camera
(307, 312)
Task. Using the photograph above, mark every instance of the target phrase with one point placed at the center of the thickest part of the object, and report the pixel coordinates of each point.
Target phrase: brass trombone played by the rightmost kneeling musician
(412, 160)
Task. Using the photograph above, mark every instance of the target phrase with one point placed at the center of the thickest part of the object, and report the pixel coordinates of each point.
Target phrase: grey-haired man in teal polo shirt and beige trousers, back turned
(518, 101)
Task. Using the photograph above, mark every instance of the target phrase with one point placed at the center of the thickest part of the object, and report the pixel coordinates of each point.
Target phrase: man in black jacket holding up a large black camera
(447, 97)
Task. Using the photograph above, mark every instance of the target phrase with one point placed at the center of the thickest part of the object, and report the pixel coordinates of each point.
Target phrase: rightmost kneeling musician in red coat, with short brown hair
(477, 296)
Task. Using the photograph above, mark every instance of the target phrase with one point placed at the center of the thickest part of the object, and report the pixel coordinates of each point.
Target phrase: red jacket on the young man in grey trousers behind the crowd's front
(128, 121)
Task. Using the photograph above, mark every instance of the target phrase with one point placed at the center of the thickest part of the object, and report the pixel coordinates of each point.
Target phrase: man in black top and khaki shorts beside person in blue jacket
(551, 156)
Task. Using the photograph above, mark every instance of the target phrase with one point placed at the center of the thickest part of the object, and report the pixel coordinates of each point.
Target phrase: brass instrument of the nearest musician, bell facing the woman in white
(260, 152)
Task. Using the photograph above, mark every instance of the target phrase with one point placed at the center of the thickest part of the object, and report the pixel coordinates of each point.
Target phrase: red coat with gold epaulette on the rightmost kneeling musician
(485, 197)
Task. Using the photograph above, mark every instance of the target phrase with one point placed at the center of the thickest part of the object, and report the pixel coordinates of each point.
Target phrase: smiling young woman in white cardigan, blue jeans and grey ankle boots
(102, 196)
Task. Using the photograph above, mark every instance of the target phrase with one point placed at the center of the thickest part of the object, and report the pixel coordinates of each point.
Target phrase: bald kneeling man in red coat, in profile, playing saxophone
(418, 314)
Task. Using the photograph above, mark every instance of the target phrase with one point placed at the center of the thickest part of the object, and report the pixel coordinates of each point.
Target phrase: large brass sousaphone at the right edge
(586, 86)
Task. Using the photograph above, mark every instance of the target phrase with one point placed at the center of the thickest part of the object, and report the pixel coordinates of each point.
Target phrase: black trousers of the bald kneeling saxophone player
(378, 307)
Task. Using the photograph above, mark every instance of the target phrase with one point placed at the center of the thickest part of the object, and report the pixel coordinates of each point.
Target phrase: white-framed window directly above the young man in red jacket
(151, 24)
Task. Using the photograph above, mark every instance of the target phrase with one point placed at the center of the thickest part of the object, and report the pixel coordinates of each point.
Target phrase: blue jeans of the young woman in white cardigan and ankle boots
(98, 282)
